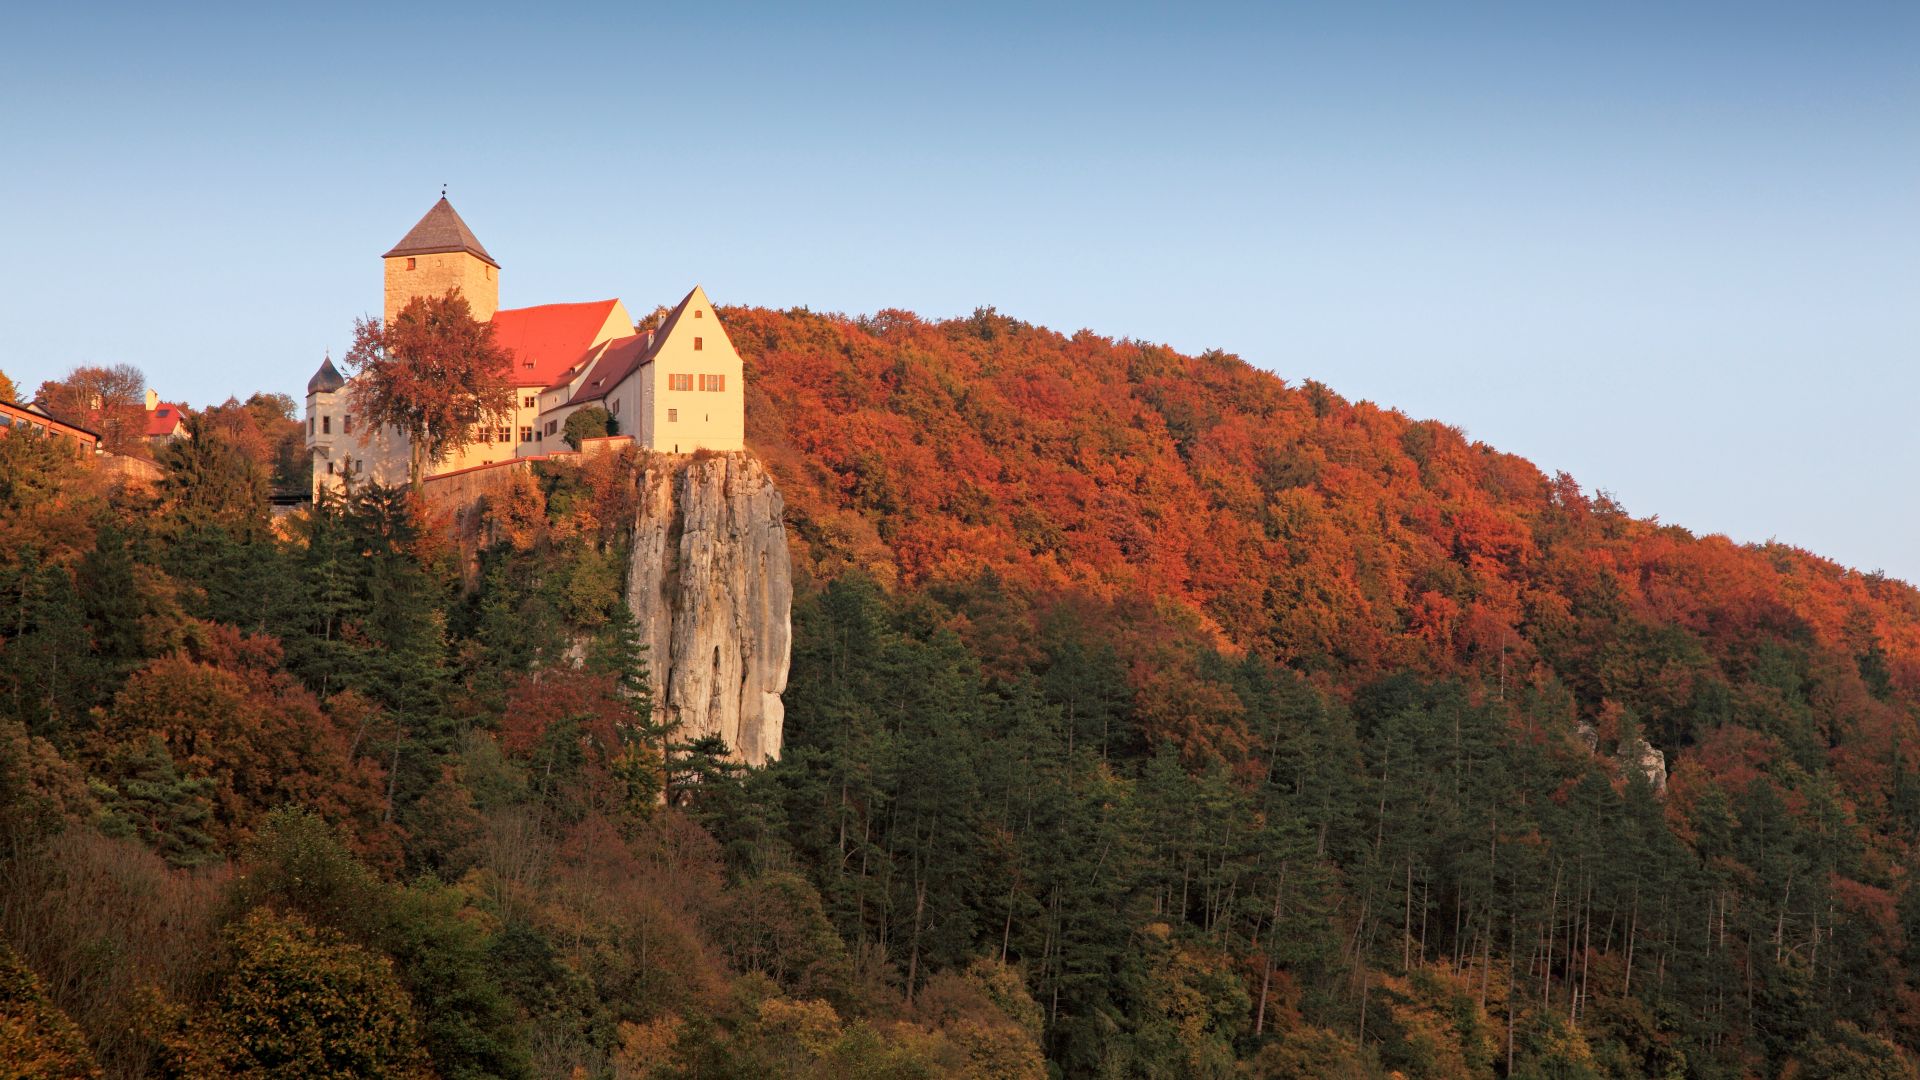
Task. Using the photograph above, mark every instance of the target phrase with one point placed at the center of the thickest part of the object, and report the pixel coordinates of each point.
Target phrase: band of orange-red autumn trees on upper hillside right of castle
(1337, 539)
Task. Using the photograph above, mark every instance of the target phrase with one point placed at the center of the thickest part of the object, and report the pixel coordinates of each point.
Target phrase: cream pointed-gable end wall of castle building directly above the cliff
(679, 416)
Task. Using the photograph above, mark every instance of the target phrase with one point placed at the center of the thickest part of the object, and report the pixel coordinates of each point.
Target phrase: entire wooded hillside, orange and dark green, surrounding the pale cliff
(1147, 718)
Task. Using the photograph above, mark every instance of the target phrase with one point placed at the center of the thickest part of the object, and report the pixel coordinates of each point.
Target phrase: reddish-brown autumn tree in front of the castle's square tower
(435, 374)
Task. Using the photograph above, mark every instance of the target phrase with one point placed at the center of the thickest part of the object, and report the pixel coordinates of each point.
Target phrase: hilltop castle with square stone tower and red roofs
(673, 387)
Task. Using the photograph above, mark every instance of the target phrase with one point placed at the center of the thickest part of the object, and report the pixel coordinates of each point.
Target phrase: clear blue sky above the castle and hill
(1673, 251)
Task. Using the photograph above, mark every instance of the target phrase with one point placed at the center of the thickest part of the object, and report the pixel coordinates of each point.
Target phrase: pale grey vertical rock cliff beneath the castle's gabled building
(711, 591)
